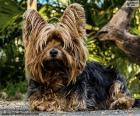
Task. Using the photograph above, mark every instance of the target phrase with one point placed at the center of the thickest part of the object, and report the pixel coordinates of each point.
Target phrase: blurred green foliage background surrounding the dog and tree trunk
(13, 84)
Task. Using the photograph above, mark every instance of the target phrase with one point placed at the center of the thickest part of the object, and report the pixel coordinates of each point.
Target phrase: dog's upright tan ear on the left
(33, 23)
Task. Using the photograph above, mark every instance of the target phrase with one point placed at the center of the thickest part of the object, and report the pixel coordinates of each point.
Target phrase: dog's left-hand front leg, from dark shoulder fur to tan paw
(39, 100)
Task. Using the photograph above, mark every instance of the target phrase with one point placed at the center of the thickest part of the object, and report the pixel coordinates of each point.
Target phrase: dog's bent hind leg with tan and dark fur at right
(120, 96)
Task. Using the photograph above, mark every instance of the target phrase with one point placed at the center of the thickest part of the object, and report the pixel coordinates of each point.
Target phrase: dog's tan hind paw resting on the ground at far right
(122, 103)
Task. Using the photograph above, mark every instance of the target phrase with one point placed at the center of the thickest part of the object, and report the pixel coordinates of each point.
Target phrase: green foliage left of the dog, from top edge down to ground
(11, 47)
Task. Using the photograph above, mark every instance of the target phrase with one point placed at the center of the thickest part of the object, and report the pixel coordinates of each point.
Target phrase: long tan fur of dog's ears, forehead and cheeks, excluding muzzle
(38, 33)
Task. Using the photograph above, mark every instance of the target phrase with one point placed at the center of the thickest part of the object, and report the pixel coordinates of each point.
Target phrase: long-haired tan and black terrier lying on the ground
(59, 76)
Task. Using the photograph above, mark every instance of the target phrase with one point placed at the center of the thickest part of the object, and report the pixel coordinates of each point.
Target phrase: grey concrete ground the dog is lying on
(21, 108)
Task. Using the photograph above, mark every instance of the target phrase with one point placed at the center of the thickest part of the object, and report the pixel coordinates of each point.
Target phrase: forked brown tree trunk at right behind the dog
(117, 30)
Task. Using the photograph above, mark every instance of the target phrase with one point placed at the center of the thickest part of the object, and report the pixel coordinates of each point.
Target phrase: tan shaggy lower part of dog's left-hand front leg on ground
(42, 102)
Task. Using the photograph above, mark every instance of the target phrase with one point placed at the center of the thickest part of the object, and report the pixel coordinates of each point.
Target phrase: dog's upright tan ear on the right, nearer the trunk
(74, 20)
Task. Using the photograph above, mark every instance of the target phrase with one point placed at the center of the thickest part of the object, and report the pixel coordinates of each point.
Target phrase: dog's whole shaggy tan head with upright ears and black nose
(55, 53)
